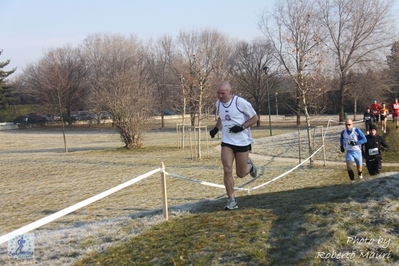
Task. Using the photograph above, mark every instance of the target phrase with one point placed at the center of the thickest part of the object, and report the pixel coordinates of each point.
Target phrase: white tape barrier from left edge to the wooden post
(72, 208)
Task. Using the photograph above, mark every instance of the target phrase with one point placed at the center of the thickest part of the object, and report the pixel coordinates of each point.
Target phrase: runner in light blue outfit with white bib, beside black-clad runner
(351, 140)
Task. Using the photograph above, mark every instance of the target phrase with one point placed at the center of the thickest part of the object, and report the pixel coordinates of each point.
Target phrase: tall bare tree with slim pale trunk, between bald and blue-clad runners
(295, 37)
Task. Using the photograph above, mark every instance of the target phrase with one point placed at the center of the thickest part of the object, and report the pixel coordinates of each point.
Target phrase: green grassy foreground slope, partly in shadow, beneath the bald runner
(335, 223)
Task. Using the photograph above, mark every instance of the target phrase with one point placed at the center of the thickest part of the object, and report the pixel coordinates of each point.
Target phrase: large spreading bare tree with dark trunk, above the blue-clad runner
(359, 32)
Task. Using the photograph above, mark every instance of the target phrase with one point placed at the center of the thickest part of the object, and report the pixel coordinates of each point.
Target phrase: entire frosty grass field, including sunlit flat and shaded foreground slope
(311, 216)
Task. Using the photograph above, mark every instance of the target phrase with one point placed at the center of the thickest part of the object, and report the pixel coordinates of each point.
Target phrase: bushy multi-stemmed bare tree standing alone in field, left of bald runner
(120, 83)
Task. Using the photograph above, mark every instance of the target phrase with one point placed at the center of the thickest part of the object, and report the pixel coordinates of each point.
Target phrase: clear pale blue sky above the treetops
(28, 27)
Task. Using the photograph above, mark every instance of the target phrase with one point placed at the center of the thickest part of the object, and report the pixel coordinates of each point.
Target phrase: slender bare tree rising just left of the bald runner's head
(199, 56)
